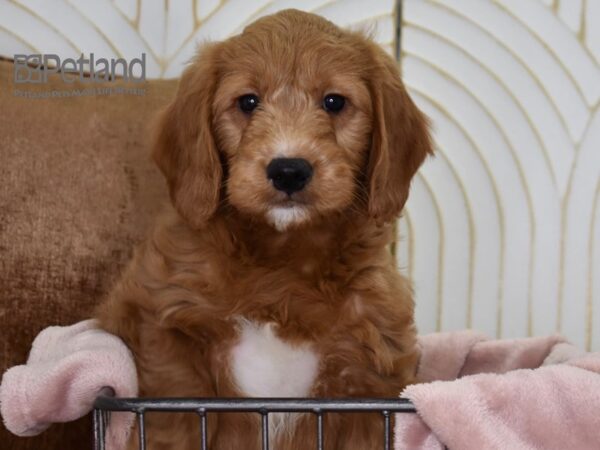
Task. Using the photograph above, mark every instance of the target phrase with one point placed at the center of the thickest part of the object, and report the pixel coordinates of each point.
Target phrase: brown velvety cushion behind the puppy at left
(78, 190)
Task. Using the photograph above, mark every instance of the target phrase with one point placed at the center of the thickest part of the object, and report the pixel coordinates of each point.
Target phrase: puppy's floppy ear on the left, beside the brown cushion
(184, 147)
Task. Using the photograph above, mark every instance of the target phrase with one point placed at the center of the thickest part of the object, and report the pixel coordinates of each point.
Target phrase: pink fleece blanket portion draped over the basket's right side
(537, 393)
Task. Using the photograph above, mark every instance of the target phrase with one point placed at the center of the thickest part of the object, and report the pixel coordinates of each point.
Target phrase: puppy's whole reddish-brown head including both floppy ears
(289, 122)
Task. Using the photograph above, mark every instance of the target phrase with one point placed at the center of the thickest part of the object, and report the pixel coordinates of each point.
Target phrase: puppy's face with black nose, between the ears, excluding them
(293, 120)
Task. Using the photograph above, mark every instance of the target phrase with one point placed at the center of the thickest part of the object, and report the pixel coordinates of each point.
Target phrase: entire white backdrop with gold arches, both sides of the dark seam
(502, 231)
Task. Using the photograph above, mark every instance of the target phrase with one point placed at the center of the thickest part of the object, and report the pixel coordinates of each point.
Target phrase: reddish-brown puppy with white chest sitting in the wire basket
(288, 152)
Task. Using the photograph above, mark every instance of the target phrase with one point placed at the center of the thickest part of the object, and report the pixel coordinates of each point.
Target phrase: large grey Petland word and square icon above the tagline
(34, 69)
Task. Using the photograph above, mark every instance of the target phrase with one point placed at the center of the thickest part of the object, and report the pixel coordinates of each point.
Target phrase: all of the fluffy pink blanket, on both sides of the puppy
(475, 393)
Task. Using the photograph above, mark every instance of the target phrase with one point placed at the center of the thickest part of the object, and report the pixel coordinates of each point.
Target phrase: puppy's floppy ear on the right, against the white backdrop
(399, 144)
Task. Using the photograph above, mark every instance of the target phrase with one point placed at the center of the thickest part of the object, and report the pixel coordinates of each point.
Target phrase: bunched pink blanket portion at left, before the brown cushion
(67, 368)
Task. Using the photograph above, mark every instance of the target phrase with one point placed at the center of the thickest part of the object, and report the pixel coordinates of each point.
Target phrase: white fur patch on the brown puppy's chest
(263, 365)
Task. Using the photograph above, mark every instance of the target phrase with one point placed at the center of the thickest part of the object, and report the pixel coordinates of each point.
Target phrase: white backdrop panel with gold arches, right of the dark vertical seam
(512, 88)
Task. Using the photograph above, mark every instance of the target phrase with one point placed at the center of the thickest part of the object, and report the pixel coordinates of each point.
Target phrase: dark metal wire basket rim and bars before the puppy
(263, 406)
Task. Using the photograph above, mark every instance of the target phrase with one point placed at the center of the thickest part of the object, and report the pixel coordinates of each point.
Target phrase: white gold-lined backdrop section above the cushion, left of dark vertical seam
(167, 31)
